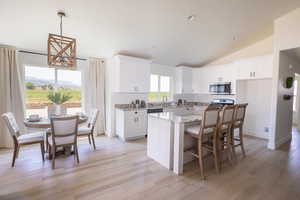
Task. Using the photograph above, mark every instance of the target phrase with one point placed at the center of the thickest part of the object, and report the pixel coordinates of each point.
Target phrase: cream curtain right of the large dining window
(93, 83)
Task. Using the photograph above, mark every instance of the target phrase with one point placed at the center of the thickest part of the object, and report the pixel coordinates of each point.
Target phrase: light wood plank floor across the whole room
(122, 171)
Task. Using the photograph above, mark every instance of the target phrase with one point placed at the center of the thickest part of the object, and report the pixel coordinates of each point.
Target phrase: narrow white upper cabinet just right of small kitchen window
(183, 80)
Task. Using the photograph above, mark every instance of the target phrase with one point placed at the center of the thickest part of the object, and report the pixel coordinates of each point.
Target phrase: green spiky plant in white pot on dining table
(58, 98)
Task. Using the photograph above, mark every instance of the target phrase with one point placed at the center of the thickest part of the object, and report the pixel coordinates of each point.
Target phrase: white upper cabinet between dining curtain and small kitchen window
(130, 74)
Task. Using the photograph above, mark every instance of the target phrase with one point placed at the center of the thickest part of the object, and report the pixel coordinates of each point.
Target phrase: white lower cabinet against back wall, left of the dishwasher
(130, 124)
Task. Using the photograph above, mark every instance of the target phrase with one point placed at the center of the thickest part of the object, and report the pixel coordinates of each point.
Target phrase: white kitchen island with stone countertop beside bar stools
(166, 140)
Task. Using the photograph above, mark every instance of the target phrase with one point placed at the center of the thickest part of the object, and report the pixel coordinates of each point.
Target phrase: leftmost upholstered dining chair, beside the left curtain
(22, 139)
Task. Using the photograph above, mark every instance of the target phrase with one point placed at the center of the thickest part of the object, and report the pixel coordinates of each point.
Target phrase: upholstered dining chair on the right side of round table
(88, 130)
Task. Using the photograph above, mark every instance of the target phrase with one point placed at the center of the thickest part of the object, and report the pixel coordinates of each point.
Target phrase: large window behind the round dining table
(41, 80)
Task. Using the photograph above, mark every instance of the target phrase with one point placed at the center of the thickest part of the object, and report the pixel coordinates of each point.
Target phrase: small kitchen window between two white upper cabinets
(160, 87)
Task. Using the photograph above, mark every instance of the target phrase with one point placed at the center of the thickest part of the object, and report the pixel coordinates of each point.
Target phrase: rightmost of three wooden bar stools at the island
(239, 117)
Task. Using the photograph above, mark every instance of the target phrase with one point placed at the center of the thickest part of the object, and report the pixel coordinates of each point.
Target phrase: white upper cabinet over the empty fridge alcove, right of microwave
(255, 68)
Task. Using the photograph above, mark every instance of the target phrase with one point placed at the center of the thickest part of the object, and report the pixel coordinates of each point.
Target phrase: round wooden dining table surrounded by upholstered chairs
(45, 123)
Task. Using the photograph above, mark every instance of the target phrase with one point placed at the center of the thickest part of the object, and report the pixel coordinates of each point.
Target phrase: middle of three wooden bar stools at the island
(225, 128)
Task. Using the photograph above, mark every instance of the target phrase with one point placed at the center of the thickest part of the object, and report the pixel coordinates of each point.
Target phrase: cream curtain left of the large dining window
(11, 92)
